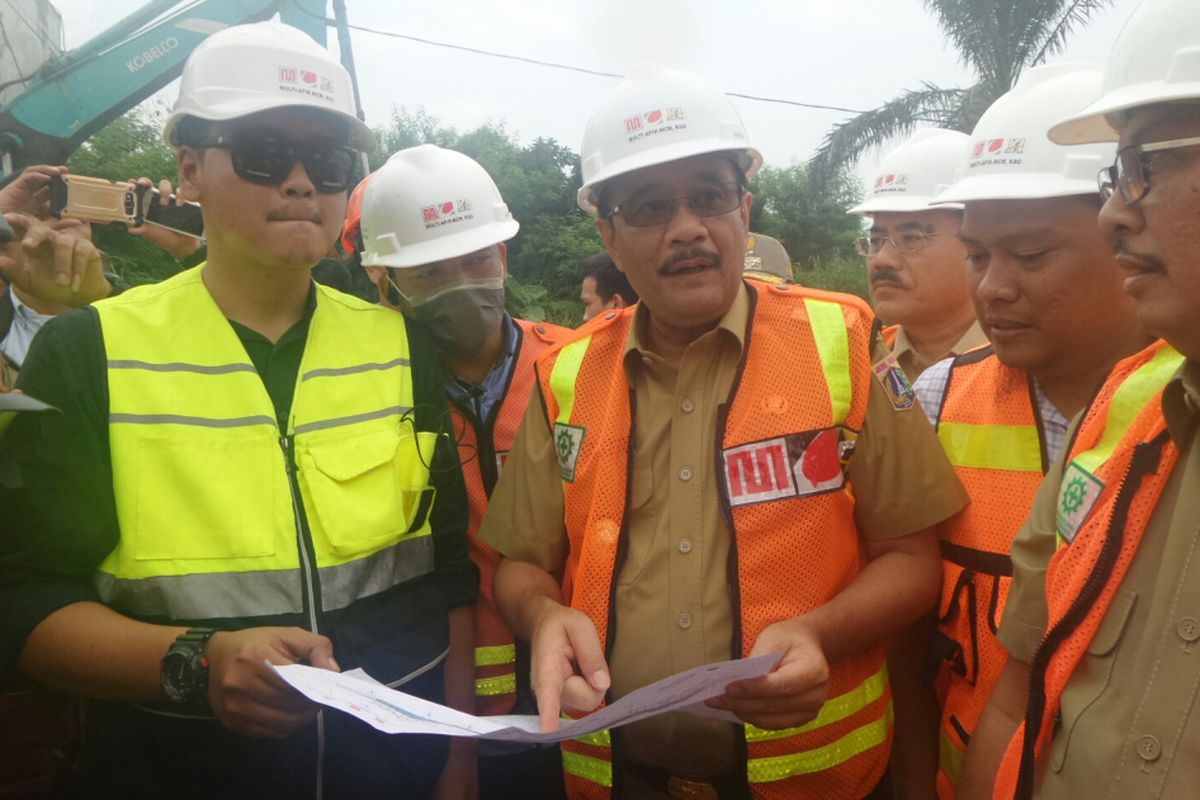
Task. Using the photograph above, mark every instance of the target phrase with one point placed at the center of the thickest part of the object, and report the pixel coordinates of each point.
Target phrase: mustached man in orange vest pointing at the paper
(680, 491)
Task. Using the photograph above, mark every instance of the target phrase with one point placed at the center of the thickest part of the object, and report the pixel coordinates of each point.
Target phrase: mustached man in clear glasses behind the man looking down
(915, 261)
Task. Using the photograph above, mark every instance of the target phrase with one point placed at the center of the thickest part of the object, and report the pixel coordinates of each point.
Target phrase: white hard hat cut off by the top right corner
(1156, 61)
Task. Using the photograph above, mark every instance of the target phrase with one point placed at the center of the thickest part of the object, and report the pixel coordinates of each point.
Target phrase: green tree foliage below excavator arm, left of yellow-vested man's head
(130, 147)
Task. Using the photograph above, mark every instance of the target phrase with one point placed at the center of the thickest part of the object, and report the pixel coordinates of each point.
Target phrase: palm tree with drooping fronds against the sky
(997, 39)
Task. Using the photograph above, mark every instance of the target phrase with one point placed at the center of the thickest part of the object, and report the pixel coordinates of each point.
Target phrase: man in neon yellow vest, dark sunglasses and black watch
(248, 471)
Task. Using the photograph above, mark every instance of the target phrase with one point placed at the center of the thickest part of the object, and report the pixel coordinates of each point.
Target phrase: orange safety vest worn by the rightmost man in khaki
(1120, 464)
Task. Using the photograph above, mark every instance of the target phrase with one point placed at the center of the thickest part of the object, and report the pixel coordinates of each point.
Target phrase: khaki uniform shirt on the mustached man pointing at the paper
(673, 594)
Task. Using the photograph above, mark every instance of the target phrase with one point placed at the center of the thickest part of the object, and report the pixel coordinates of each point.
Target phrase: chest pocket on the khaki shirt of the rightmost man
(1093, 677)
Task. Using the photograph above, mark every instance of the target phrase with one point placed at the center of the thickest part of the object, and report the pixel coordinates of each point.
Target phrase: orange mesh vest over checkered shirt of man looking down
(991, 430)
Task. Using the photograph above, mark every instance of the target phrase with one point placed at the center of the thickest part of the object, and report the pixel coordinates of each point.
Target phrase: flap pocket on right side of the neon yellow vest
(368, 491)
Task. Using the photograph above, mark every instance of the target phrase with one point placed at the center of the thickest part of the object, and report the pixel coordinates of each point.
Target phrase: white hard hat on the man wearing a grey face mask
(428, 204)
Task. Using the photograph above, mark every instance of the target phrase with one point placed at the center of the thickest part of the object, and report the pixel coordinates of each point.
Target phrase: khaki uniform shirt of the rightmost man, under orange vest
(1130, 723)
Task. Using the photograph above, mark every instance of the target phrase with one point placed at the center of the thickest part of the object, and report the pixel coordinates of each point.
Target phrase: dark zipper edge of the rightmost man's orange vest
(1145, 461)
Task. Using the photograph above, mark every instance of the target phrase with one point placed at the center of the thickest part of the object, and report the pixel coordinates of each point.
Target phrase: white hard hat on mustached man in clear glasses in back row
(915, 173)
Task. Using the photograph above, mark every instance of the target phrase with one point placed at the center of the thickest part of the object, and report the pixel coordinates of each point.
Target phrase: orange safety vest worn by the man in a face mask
(483, 448)
